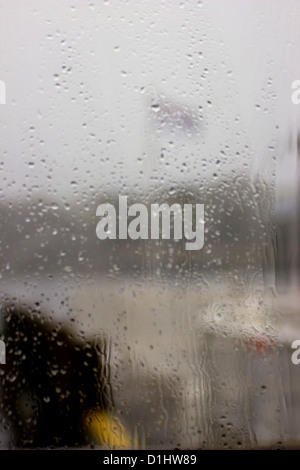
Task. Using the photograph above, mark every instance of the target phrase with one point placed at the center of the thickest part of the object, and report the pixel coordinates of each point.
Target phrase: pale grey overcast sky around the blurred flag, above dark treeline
(81, 75)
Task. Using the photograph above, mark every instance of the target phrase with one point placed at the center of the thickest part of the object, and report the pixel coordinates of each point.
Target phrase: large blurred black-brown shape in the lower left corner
(50, 380)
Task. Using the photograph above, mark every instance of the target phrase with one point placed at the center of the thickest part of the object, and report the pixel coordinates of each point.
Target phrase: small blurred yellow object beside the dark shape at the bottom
(108, 431)
